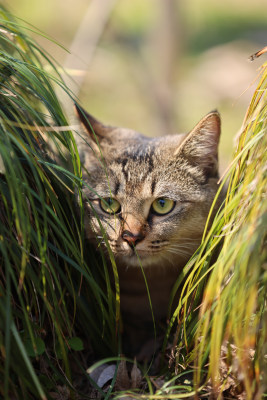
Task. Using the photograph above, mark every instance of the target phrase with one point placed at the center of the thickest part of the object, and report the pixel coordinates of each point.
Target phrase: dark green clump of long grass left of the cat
(51, 302)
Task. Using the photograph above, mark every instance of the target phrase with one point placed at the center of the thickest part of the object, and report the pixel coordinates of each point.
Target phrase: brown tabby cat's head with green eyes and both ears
(148, 196)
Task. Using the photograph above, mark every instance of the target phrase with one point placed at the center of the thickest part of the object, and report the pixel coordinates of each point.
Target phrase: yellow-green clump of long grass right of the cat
(225, 341)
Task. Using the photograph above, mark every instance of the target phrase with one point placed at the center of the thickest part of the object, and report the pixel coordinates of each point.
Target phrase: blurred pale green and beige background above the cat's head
(157, 66)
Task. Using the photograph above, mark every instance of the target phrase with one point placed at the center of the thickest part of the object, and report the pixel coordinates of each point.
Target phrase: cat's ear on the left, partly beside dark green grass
(92, 126)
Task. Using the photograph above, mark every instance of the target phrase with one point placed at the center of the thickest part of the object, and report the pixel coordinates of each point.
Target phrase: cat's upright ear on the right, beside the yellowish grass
(200, 146)
